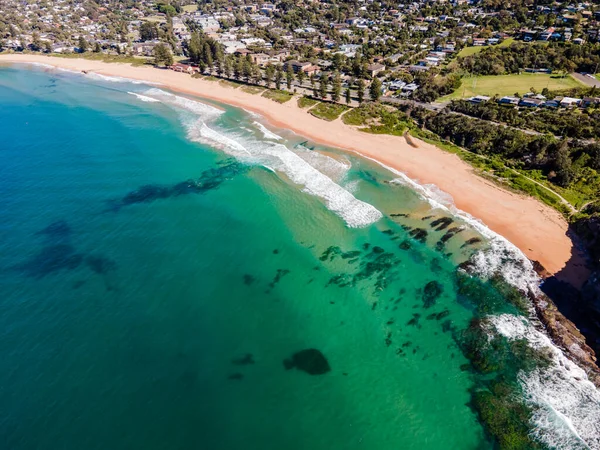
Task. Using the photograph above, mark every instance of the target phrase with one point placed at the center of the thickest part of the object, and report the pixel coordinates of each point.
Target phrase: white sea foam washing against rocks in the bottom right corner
(566, 403)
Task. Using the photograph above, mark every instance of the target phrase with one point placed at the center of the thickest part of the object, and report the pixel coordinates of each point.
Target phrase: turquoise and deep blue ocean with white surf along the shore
(177, 274)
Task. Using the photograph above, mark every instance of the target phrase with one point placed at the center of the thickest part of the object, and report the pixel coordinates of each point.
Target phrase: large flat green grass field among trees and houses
(510, 84)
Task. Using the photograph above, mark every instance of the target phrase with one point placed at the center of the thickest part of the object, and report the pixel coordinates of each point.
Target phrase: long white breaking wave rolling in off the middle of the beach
(272, 155)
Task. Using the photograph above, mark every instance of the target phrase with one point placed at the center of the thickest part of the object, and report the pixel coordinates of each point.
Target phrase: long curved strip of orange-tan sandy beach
(538, 230)
